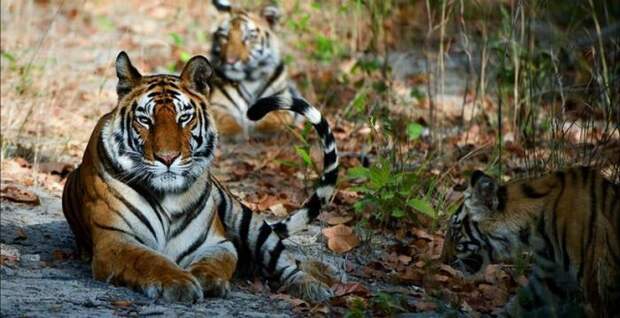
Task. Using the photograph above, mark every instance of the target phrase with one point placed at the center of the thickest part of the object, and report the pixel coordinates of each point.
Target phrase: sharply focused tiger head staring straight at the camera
(160, 134)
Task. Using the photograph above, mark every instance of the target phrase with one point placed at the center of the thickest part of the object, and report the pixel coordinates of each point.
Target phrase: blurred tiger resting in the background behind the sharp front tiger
(248, 63)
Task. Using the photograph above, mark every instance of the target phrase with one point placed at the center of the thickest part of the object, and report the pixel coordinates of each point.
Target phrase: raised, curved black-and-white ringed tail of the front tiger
(300, 218)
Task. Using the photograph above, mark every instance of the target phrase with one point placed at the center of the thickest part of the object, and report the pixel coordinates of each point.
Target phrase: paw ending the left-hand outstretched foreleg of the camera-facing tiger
(180, 287)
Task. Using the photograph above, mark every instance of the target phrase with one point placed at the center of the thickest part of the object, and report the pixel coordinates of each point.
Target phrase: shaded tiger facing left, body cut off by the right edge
(569, 221)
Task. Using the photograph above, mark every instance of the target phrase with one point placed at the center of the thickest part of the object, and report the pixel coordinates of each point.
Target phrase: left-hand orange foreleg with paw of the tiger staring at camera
(122, 260)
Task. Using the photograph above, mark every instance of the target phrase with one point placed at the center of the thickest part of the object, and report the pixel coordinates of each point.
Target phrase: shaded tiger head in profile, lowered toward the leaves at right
(483, 230)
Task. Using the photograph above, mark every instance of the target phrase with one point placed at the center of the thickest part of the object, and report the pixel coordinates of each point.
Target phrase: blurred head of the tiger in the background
(244, 45)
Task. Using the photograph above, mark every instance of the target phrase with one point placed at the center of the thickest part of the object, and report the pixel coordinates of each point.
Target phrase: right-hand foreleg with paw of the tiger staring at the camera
(217, 263)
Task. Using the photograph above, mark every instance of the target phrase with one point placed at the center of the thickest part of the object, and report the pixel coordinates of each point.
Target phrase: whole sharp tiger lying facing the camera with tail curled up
(146, 210)
